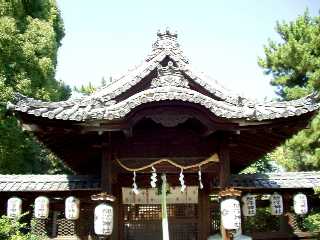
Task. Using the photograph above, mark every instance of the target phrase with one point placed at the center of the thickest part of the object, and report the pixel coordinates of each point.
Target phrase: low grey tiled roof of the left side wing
(43, 183)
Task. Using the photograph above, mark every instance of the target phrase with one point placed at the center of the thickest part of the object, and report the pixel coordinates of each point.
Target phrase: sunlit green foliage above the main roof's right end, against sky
(294, 62)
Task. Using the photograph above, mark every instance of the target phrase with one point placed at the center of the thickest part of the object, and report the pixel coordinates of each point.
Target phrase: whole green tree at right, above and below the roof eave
(294, 63)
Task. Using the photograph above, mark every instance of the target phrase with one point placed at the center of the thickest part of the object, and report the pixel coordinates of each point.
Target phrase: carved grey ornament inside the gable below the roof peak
(169, 76)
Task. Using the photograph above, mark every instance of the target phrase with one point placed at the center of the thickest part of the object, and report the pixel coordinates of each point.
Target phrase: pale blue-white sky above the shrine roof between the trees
(223, 38)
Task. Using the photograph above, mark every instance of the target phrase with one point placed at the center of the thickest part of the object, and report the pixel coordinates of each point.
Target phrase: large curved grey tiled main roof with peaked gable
(170, 84)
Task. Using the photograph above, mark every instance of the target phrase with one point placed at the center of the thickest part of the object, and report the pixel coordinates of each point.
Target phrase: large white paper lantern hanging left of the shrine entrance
(103, 219)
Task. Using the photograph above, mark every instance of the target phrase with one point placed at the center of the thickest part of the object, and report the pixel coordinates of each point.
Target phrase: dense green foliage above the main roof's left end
(30, 34)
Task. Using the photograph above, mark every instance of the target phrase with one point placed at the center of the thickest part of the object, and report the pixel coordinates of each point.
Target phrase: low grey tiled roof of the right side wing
(294, 180)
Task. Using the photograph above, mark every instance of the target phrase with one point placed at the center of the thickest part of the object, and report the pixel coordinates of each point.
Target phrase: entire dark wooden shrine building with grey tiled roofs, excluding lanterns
(165, 114)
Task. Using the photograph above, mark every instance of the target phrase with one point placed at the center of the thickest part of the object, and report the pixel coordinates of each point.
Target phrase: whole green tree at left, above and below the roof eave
(30, 34)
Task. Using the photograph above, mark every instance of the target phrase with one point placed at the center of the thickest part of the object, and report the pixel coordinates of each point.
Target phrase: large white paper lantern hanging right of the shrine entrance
(230, 214)
